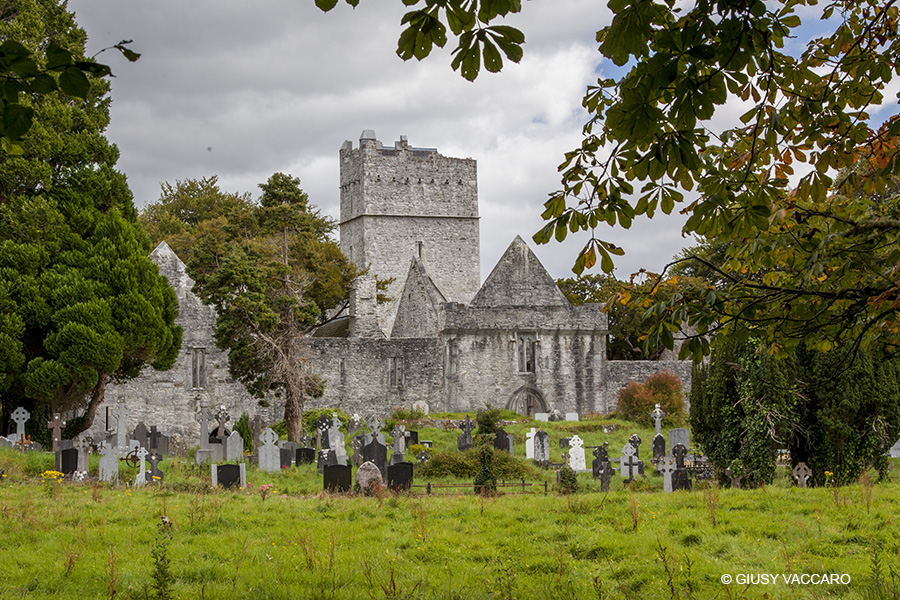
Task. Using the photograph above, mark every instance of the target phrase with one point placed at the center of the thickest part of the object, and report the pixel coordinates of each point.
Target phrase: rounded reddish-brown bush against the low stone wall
(638, 400)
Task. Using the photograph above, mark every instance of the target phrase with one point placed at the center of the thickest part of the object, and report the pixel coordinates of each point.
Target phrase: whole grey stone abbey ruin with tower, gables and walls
(444, 342)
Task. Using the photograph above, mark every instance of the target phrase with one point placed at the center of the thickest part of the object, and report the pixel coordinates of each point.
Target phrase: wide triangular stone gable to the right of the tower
(519, 279)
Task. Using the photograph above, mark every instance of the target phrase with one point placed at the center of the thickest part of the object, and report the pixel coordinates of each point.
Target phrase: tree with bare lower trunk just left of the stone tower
(271, 272)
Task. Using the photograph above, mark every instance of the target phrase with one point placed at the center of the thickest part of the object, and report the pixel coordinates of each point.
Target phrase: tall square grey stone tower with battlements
(402, 203)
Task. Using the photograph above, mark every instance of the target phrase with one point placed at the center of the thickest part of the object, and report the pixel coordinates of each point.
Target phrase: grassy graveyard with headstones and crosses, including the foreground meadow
(276, 526)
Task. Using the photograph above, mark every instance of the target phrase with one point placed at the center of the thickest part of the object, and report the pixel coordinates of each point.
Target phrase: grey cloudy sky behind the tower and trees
(243, 89)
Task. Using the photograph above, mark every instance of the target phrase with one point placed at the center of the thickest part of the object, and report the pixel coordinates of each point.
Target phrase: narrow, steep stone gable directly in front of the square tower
(418, 308)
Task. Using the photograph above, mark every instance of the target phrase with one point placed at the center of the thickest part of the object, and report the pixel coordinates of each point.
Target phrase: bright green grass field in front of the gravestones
(61, 540)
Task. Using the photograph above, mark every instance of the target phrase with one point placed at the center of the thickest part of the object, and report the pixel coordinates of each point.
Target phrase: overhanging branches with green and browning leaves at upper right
(802, 188)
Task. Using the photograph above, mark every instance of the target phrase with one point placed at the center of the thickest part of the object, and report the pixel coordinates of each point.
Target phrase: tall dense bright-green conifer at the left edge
(81, 301)
